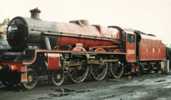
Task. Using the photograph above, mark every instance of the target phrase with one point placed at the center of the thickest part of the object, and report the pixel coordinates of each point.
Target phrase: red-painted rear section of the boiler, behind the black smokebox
(80, 33)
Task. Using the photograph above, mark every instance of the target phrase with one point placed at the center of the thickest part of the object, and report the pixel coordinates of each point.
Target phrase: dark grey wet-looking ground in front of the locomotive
(147, 87)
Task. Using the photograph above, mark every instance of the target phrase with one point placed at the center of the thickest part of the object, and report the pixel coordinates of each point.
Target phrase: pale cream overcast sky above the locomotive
(150, 16)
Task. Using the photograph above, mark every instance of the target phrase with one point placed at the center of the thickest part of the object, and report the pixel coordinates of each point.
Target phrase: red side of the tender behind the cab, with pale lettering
(151, 49)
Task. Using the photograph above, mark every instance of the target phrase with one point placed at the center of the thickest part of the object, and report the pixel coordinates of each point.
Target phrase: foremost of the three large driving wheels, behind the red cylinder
(79, 72)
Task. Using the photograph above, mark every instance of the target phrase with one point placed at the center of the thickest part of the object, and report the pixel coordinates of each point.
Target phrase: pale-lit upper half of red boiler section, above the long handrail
(88, 30)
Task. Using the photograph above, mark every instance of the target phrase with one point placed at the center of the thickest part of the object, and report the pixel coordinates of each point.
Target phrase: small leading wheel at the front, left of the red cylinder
(32, 78)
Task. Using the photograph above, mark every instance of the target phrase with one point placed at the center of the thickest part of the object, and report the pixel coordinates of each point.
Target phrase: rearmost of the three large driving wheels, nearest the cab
(116, 69)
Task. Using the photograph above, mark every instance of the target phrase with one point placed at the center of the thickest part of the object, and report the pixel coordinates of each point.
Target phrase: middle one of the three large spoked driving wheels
(99, 71)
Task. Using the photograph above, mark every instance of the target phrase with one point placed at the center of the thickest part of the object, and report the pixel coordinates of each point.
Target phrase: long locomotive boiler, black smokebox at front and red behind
(33, 32)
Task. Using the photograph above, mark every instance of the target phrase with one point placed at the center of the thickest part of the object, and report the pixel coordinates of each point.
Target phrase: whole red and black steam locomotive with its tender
(76, 49)
